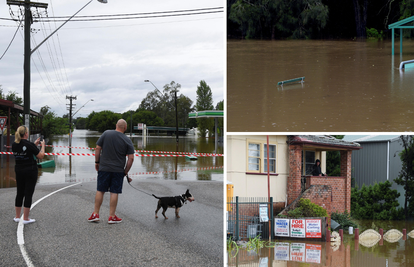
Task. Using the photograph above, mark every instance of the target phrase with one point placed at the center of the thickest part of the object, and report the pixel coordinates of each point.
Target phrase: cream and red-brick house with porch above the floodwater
(291, 160)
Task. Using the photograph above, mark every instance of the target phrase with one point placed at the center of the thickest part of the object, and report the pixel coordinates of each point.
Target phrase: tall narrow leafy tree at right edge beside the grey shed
(406, 175)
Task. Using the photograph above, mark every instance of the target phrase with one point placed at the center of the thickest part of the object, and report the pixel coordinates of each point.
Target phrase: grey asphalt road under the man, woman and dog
(62, 236)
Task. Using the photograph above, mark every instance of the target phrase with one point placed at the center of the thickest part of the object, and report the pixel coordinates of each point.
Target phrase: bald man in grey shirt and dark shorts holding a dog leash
(111, 151)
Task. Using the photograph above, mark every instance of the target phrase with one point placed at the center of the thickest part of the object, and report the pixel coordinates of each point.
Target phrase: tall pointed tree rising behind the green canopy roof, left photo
(204, 102)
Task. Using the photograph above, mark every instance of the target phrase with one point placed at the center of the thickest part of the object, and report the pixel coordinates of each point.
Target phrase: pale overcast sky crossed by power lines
(108, 60)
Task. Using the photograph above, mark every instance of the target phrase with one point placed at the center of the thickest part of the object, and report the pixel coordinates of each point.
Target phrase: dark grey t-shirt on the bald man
(115, 147)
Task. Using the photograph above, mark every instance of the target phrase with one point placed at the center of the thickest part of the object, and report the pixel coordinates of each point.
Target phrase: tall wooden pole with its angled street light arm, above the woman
(27, 49)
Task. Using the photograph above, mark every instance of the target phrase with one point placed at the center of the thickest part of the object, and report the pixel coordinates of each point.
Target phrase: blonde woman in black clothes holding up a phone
(25, 153)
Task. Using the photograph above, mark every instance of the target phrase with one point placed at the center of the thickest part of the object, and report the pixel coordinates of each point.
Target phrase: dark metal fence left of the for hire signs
(243, 218)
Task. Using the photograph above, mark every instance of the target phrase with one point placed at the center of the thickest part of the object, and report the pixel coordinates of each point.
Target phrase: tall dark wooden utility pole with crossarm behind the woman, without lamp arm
(28, 20)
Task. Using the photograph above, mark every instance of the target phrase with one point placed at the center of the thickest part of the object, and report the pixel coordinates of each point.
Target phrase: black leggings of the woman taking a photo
(26, 178)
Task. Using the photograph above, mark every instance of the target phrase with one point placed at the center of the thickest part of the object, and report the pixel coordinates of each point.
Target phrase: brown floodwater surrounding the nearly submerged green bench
(349, 86)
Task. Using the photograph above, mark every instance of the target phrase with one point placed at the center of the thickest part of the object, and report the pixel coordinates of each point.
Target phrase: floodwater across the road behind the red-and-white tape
(82, 168)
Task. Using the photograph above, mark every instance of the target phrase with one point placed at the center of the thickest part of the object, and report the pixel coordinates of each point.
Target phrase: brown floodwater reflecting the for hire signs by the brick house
(348, 253)
